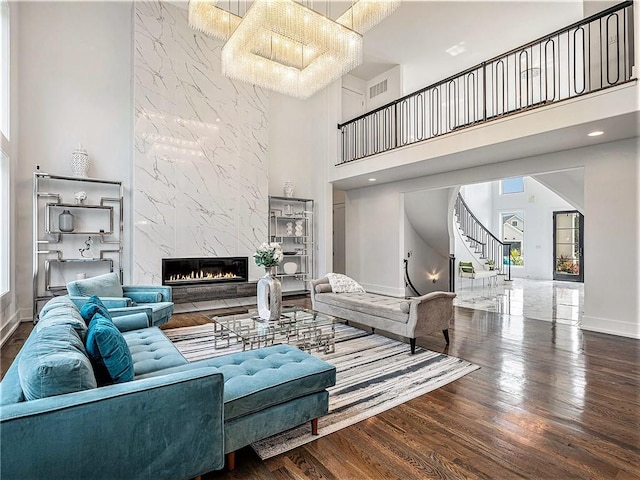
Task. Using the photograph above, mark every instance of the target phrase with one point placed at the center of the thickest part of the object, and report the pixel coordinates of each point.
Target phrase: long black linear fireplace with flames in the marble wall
(204, 270)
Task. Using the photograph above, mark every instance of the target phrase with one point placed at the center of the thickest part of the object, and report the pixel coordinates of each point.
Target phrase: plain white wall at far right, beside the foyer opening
(612, 217)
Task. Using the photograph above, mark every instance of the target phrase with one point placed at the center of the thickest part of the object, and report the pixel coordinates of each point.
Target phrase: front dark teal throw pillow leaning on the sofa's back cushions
(109, 352)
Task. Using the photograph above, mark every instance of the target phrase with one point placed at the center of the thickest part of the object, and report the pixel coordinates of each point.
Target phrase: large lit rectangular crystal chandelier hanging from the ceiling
(284, 46)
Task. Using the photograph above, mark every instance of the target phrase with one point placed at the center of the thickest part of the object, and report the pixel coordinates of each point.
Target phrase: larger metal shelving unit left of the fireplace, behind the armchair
(61, 256)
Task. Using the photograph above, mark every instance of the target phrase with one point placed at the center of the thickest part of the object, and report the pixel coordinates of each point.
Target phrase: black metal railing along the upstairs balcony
(590, 55)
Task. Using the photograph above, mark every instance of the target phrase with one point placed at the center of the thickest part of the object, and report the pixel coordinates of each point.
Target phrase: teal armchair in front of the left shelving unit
(153, 300)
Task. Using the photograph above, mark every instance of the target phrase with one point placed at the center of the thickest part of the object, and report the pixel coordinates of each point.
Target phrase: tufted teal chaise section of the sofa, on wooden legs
(267, 391)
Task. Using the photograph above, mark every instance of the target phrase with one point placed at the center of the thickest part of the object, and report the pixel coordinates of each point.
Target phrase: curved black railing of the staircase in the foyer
(493, 251)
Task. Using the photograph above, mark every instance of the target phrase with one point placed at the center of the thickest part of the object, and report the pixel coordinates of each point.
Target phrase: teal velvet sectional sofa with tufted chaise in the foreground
(173, 419)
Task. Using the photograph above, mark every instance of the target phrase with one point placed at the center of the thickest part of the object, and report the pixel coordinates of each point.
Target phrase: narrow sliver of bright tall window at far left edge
(5, 159)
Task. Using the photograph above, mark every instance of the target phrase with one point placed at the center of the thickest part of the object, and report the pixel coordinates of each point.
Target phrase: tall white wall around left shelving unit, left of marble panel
(74, 86)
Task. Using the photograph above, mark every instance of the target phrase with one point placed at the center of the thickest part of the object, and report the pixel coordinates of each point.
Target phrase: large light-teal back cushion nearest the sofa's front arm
(55, 362)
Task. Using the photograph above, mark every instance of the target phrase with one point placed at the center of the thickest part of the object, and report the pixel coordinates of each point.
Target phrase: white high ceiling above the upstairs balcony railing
(418, 34)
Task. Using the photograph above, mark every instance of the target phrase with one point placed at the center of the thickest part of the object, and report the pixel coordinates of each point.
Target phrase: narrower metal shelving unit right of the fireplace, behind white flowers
(291, 225)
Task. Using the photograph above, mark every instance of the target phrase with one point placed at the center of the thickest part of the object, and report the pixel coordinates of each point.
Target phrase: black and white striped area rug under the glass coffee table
(374, 374)
